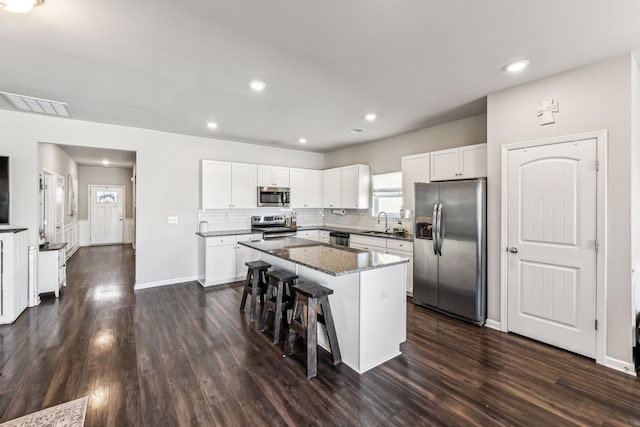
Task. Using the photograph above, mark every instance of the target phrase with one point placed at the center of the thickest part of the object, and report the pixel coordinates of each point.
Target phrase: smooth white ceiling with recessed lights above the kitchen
(174, 66)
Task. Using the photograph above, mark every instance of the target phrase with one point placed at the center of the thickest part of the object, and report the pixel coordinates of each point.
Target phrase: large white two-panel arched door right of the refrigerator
(551, 233)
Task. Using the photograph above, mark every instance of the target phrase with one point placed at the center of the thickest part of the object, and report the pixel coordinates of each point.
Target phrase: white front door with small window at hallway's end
(106, 214)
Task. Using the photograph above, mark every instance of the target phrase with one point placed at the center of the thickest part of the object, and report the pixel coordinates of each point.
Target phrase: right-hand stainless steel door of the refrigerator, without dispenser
(460, 275)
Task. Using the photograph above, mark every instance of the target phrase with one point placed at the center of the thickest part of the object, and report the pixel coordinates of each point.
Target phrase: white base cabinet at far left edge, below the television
(14, 275)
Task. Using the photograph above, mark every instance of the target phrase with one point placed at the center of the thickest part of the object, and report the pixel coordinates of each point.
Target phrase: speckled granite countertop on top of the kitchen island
(332, 260)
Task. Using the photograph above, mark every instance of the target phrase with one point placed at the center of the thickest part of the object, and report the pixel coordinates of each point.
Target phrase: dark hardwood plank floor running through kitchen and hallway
(182, 355)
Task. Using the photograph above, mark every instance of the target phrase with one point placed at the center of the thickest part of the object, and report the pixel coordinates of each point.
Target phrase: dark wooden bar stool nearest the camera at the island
(311, 295)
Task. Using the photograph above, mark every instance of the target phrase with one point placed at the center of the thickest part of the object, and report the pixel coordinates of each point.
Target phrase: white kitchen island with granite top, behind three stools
(369, 294)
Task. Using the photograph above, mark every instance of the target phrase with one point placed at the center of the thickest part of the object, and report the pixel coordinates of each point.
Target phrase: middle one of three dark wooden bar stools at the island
(279, 299)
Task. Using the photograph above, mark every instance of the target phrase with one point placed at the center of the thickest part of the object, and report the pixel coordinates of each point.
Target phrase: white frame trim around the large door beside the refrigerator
(601, 137)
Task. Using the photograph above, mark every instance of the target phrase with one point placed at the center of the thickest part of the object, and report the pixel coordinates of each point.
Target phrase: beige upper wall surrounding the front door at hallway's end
(96, 175)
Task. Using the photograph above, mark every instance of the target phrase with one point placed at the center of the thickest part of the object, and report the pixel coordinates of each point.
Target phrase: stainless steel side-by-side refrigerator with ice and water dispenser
(450, 250)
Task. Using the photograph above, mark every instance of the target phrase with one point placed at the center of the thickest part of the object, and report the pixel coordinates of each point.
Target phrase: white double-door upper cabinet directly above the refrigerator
(459, 163)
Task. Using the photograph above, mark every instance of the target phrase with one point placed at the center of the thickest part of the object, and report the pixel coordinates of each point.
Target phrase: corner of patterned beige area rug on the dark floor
(70, 414)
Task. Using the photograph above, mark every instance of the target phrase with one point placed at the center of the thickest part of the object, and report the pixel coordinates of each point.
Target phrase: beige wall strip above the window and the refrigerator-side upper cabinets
(384, 155)
